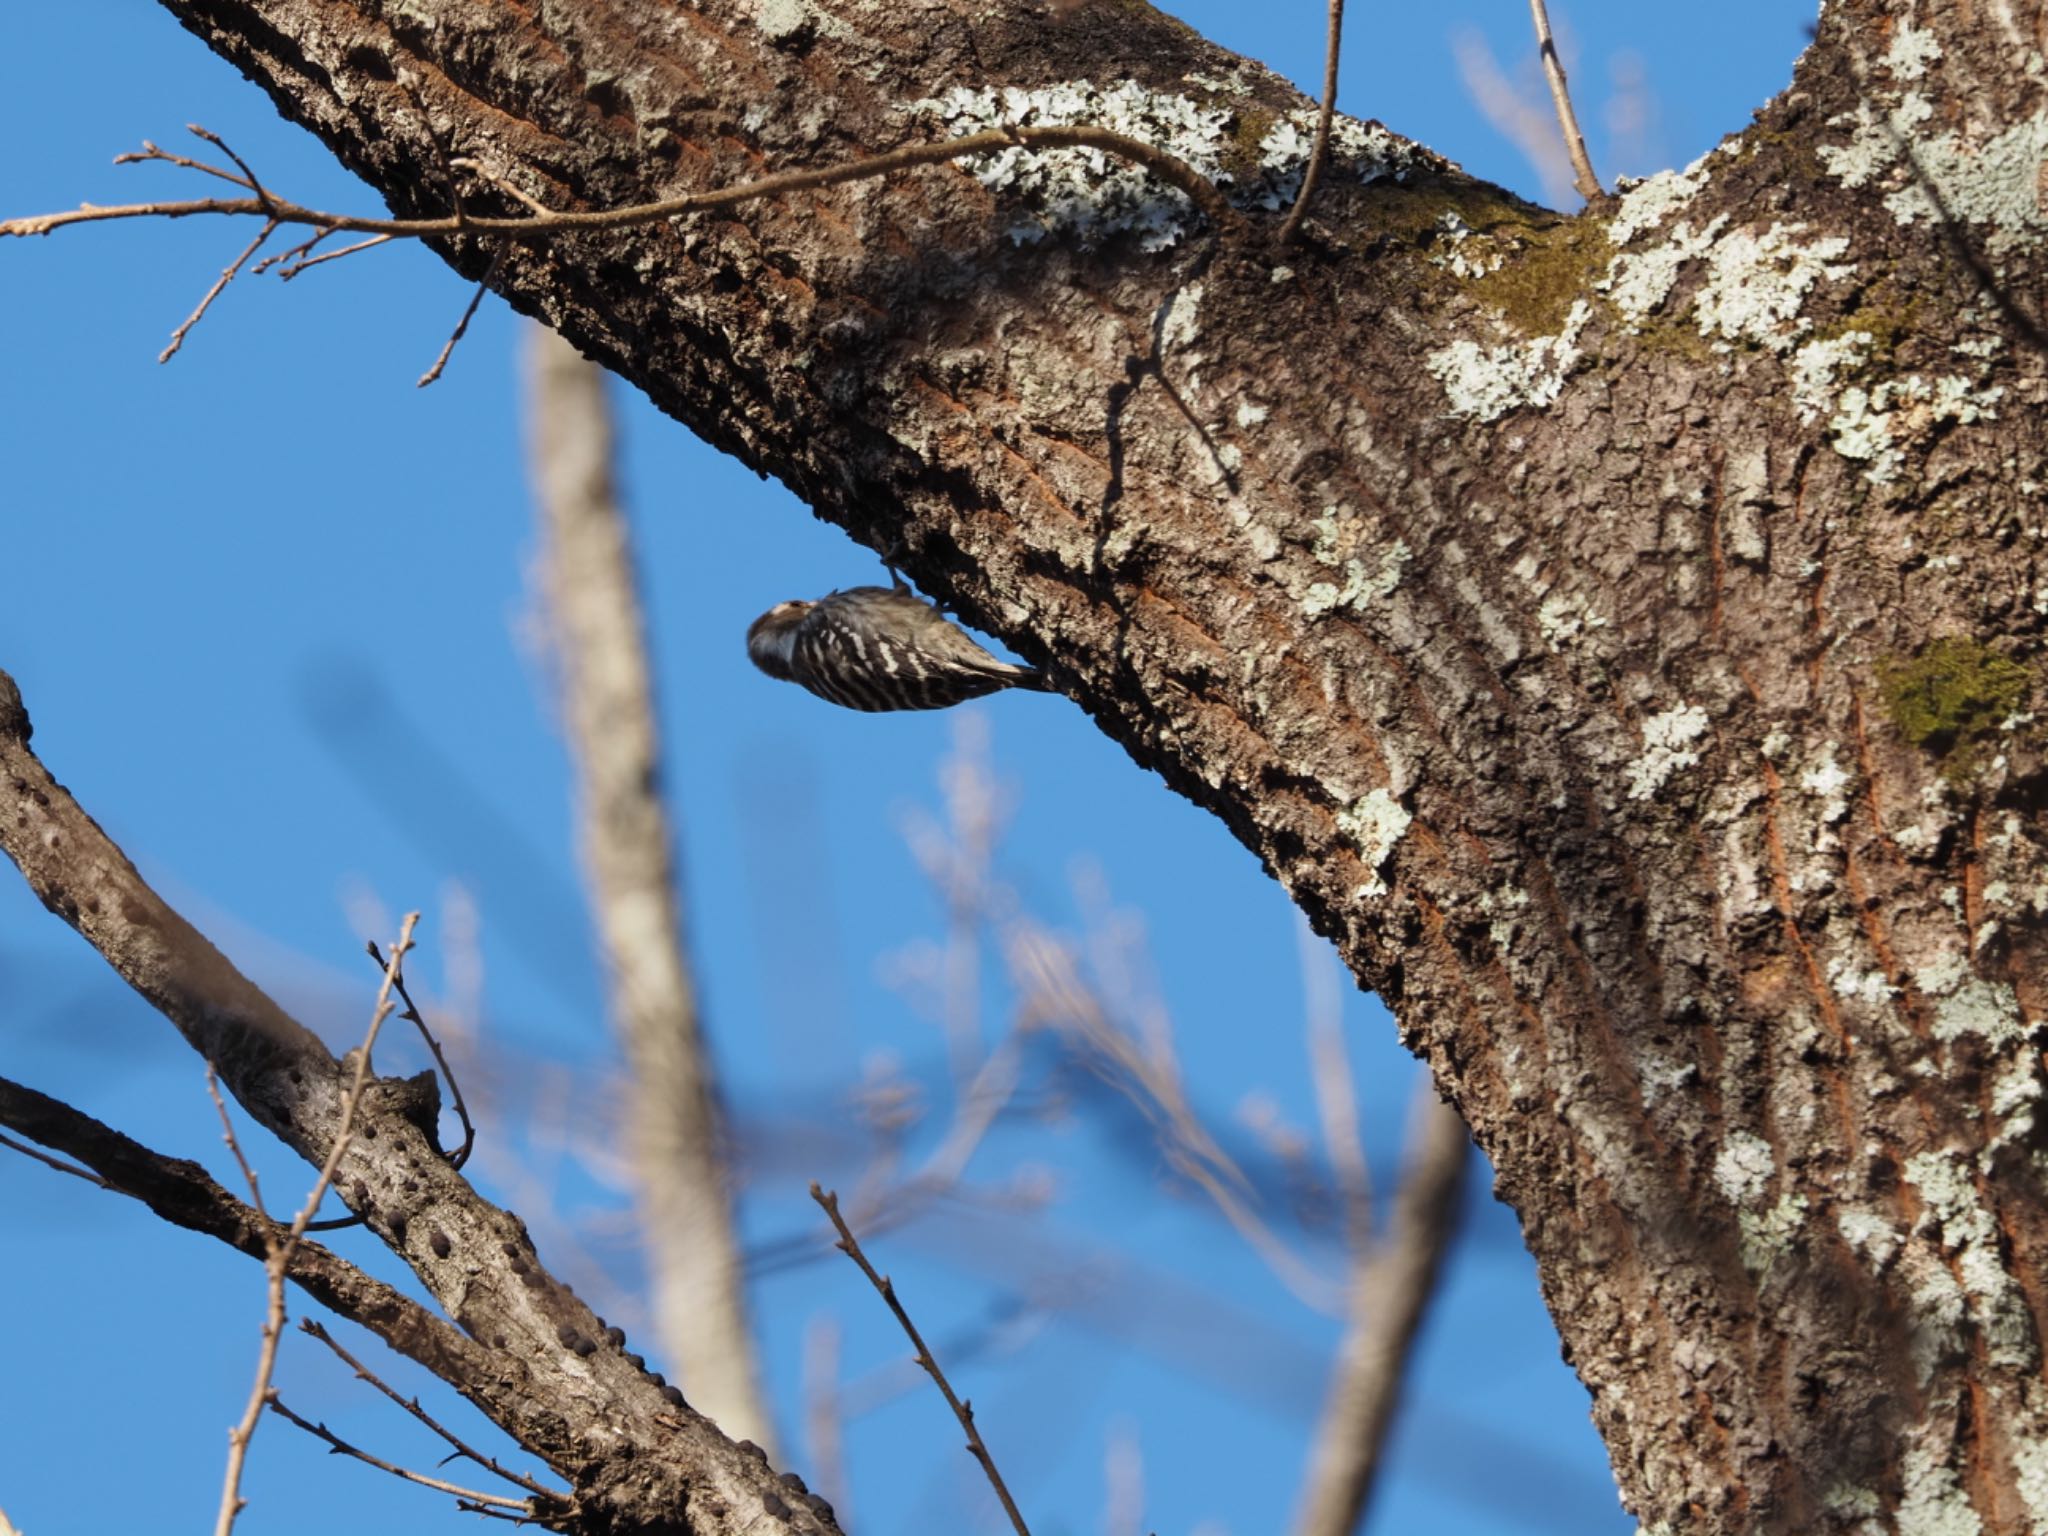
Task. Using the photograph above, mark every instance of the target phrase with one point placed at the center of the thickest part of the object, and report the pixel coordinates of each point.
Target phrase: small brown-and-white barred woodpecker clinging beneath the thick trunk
(880, 648)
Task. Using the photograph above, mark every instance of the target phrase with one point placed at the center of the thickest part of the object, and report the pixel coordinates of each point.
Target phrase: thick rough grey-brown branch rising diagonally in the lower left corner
(550, 1375)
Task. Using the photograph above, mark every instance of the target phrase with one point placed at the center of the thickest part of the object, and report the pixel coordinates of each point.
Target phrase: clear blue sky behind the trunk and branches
(271, 613)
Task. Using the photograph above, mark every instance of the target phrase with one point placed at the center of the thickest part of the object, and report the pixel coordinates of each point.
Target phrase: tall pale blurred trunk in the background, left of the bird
(607, 710)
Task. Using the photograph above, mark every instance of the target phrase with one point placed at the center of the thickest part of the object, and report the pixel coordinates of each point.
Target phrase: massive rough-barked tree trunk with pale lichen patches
(1621, 632)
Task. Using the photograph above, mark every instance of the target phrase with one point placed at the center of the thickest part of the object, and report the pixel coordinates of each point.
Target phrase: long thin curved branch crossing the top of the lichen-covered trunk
(1070, 136)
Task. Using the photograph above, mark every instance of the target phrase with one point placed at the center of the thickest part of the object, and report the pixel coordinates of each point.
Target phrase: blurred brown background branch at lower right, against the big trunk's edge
(1392, 1289)
